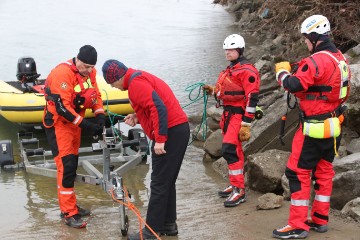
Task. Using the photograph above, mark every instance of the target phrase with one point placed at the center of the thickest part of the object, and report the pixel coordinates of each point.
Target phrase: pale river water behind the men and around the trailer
(178, 40)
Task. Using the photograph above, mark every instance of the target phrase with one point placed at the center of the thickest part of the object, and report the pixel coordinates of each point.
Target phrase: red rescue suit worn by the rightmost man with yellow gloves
(316, 83)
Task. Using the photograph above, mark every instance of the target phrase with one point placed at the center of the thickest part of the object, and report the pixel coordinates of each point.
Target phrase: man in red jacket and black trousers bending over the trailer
(166, 124)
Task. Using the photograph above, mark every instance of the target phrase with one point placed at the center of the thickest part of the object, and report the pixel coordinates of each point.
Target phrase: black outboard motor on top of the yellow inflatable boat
(26, 70)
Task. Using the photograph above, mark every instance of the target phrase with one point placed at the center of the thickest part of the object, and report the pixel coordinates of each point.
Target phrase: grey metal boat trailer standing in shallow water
(127, 153)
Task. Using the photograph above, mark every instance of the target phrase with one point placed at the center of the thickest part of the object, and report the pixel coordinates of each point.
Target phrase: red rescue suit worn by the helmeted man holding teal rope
(238, 90)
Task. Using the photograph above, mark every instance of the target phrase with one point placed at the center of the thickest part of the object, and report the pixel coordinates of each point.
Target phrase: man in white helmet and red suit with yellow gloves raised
(321, 84)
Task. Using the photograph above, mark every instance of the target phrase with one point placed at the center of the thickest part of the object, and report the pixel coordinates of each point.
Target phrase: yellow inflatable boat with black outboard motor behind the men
(23, 101)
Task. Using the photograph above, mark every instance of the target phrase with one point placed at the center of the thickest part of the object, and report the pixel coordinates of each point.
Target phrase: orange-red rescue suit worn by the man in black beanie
(68, 95)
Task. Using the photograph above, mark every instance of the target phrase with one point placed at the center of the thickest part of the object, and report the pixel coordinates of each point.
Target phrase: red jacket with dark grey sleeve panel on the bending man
(156, 106)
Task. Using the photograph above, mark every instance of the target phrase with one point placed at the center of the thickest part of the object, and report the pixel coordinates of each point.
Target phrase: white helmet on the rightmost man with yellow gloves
(316, 23)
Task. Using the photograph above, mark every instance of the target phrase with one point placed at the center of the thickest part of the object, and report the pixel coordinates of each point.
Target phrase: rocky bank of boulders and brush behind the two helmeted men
(276, 29)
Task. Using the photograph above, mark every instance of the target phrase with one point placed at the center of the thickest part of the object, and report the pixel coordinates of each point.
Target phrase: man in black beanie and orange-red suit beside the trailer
(70, 89)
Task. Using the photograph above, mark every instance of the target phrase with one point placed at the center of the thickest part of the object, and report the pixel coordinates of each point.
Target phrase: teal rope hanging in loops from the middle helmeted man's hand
(201, 94)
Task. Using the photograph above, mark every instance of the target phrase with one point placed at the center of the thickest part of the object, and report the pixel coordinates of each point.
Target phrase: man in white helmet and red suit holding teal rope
(238, 90)
